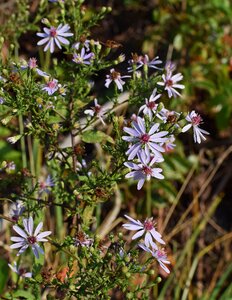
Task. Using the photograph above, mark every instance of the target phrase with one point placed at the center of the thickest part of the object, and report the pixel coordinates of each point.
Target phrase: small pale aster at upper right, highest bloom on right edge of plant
(170, 82)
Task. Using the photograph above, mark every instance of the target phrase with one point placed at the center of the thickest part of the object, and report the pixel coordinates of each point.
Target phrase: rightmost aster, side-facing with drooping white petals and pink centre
(195, 120)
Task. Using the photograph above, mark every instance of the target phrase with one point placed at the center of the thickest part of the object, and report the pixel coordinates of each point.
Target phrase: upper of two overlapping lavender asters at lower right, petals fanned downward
(147, 228)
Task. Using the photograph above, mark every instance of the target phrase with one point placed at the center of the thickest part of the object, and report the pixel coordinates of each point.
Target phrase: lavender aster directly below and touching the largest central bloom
(144, 171)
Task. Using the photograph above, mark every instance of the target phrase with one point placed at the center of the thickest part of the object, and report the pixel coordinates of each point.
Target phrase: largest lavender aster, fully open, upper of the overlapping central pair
(143, 139)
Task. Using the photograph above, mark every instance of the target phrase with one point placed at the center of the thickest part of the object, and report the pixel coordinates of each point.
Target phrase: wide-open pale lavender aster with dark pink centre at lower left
(28, 238)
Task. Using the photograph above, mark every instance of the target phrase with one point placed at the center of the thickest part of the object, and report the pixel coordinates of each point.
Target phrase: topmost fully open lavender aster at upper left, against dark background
(54, 36)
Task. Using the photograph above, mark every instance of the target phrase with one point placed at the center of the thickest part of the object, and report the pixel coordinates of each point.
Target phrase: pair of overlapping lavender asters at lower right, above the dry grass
(151, 236)
